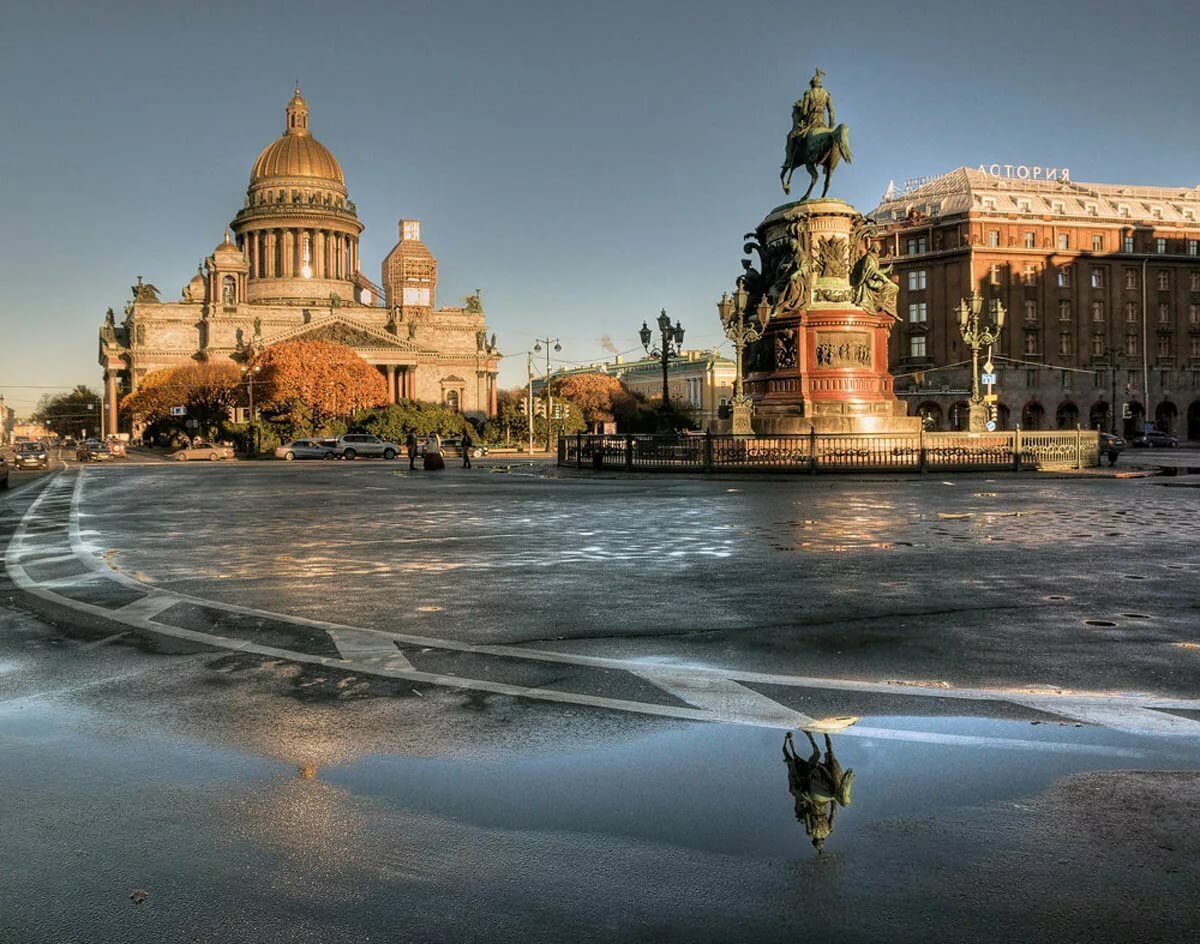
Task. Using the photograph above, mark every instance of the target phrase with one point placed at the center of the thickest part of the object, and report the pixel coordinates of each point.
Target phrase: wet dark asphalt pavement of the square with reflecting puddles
(269, 798)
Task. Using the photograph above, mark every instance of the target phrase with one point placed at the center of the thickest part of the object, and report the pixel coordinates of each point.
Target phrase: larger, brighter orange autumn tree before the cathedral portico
(309, 382)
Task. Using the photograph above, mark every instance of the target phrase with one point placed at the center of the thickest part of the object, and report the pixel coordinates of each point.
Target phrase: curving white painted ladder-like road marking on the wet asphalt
(715, 694)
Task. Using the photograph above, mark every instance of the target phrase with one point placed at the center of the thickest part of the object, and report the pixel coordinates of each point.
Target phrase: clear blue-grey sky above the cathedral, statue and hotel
(584, 164)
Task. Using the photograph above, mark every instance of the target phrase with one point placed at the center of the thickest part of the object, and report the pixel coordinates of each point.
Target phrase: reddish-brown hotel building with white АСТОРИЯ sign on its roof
(1102, 285)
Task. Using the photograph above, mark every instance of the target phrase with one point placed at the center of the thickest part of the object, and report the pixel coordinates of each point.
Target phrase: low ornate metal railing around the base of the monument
(821, 453)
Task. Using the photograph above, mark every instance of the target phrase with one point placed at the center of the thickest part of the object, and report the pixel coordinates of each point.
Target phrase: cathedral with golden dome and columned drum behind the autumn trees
(291, 270)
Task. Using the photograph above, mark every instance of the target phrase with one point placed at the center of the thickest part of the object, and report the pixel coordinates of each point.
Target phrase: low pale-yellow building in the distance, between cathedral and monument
(699, 381)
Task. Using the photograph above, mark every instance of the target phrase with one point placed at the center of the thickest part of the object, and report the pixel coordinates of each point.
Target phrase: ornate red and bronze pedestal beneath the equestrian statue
(823, 363)
